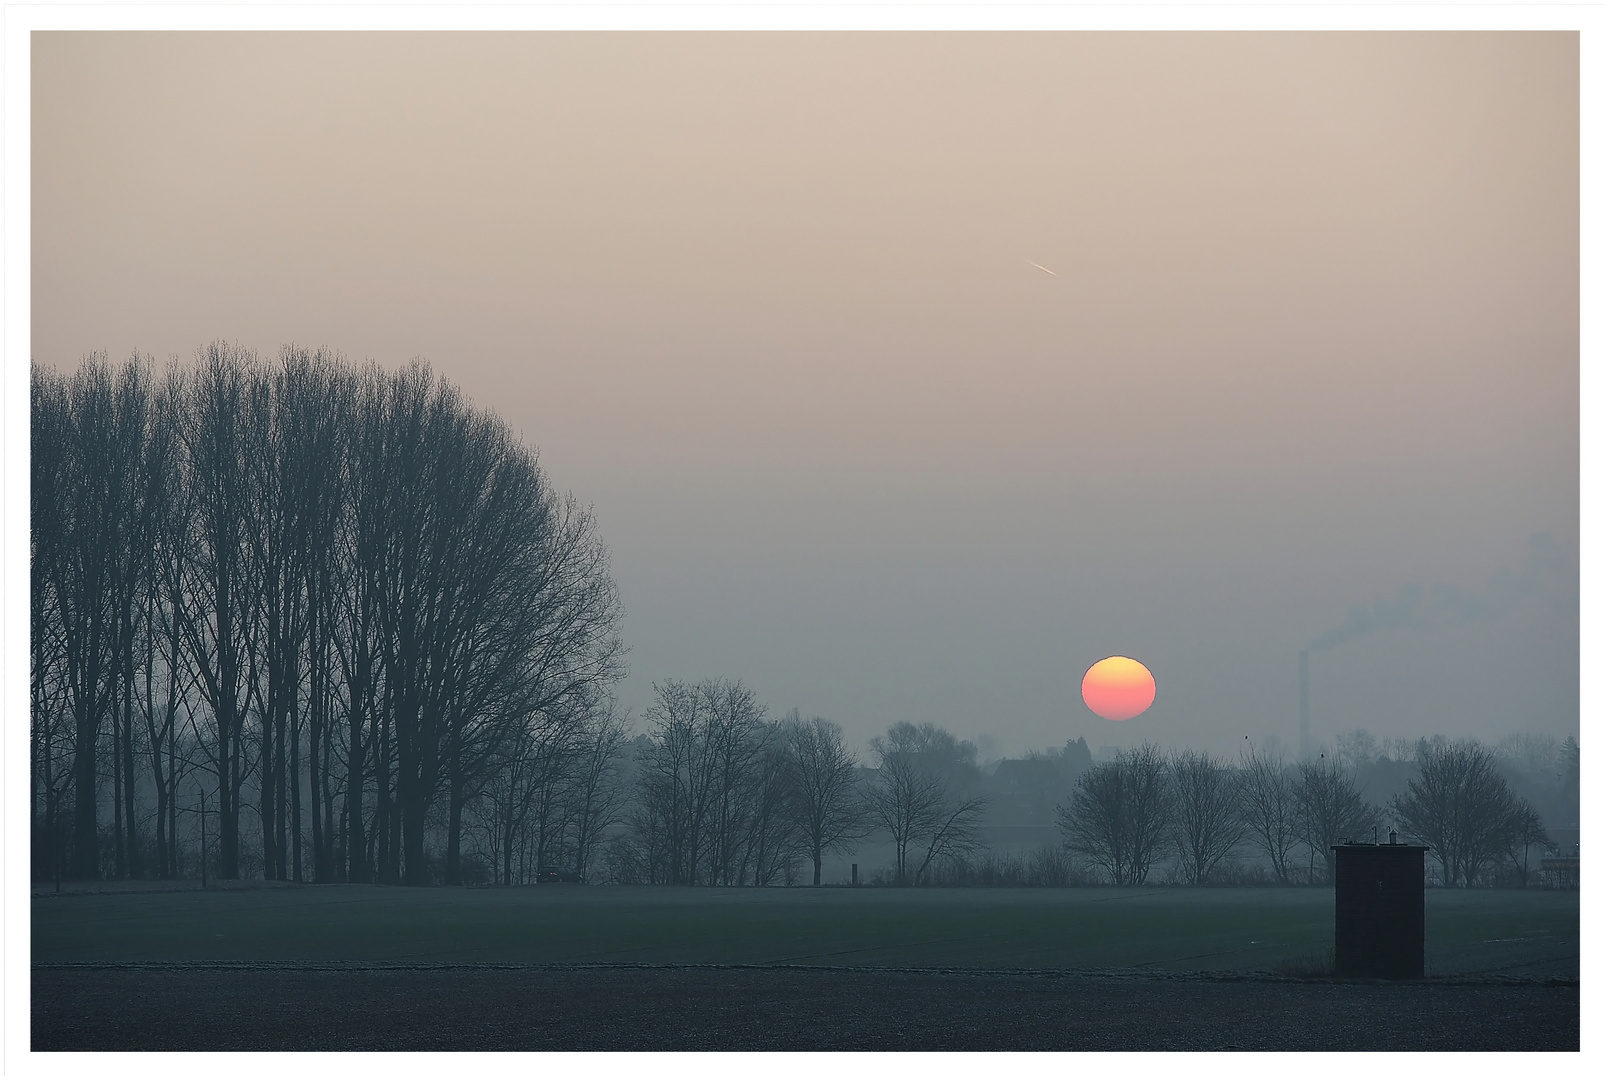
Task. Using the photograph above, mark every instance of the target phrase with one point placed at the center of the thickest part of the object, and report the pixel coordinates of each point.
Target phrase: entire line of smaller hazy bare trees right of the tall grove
(728, 798)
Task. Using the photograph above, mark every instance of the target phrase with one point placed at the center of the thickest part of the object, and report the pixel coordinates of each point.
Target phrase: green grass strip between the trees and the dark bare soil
(1154, 930)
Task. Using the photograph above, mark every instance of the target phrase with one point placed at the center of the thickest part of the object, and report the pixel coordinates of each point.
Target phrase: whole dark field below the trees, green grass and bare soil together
(368, 968)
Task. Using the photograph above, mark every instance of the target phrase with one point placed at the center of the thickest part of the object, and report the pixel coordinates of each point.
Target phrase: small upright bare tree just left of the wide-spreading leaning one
(823, 796)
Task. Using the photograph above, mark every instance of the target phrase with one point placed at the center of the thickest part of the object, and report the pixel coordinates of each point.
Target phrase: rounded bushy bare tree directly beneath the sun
(1119, 814)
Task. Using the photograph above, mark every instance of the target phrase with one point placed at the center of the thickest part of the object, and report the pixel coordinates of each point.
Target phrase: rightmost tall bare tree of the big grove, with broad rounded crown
(487, 604)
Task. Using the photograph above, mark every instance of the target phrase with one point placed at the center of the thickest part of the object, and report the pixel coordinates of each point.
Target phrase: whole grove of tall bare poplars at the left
(335, 604)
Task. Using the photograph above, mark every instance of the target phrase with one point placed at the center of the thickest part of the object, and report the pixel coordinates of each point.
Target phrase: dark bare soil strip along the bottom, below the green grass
(789, 1008)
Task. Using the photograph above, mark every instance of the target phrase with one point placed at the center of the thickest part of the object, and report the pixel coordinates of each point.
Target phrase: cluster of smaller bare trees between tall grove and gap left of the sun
(728, 798)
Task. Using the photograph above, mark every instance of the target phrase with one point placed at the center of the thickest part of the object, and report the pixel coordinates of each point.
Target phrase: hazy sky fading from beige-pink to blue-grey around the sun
(768, 303)
